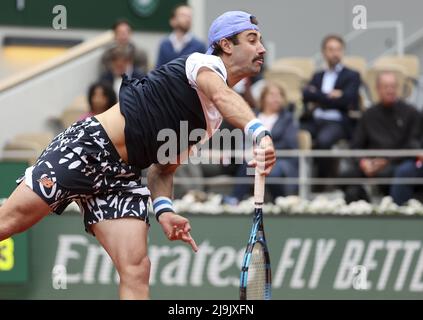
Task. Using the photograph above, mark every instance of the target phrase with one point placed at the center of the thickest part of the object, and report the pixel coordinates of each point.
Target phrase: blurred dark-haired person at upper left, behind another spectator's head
(123, 33)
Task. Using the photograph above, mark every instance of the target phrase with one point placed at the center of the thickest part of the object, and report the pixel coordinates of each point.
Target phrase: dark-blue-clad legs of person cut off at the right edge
(412, 168)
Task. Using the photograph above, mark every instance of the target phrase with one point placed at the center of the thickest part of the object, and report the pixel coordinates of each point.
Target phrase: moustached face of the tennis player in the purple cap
(248, 54)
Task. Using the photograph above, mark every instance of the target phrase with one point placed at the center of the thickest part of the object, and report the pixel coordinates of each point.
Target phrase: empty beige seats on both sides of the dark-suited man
(294, 72)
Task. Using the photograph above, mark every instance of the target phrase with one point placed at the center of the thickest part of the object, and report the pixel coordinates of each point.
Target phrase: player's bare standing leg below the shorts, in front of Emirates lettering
(125, 240)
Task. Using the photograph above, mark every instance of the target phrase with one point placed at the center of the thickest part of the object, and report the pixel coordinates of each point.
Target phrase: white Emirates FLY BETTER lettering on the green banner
(390, 264)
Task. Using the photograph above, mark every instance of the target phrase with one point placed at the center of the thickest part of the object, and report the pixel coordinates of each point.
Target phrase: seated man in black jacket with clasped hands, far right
(390, 124)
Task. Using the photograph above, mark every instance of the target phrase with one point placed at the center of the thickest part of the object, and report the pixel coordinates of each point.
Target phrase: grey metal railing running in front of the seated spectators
(304, 180)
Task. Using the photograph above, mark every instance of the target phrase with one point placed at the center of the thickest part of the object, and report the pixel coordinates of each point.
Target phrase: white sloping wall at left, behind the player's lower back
(27, 107)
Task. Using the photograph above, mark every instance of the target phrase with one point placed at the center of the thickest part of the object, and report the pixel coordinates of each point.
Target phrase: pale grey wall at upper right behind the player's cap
(296, 27)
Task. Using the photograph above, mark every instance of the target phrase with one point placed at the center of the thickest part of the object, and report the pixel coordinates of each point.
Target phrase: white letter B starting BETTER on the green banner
(351, 258)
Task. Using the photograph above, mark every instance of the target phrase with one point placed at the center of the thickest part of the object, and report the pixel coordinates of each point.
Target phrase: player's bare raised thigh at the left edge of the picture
(21, 210)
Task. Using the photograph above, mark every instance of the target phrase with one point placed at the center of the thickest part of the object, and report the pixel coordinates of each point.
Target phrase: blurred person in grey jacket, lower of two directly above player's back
(121, 63)
